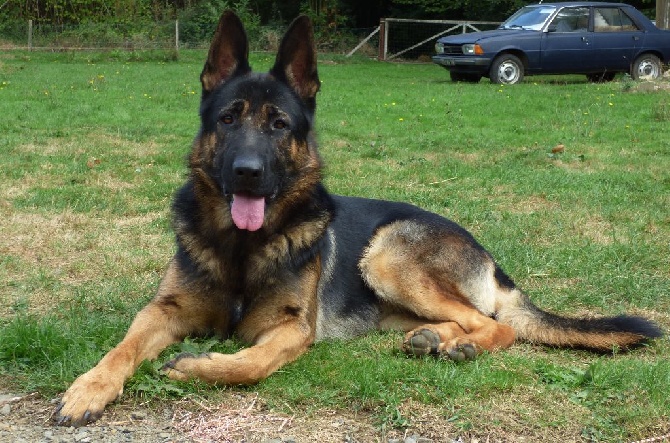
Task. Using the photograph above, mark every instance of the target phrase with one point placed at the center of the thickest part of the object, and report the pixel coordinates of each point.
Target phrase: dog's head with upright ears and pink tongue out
(256, 144)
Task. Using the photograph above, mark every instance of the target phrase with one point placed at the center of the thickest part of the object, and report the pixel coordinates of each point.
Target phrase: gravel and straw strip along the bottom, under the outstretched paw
(244, 418)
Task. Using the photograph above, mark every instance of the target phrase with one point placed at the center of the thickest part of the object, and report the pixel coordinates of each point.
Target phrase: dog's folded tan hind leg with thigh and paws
(440, 284)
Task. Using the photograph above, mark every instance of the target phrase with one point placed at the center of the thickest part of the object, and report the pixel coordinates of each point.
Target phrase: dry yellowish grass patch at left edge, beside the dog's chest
(50, 256)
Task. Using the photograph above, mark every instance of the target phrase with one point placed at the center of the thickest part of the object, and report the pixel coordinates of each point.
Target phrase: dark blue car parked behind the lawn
(592, 38)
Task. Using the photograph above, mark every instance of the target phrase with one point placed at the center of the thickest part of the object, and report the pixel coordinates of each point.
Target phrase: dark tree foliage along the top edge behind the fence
(331, 13)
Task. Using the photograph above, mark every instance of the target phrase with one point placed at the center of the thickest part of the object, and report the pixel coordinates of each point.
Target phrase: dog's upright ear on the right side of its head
(296, 61)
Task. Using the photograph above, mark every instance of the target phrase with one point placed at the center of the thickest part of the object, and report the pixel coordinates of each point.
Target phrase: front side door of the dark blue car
(566, 43)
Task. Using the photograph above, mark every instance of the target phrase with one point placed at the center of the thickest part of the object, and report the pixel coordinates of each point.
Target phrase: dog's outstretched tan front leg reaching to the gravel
(170, 316)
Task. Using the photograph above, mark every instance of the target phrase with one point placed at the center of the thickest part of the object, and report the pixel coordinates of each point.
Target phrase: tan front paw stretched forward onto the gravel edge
(85, 401)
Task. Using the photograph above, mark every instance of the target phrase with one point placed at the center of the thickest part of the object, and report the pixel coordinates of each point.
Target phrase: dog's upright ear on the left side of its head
(228, 54)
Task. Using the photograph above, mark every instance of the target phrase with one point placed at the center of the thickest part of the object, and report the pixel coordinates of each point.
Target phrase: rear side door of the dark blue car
(616, 39)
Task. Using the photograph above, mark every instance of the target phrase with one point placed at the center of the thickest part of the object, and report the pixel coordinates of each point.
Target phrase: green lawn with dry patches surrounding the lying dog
(94, 145)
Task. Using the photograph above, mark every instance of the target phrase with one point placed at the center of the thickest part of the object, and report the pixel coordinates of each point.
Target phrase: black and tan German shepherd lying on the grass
(266, 253)
